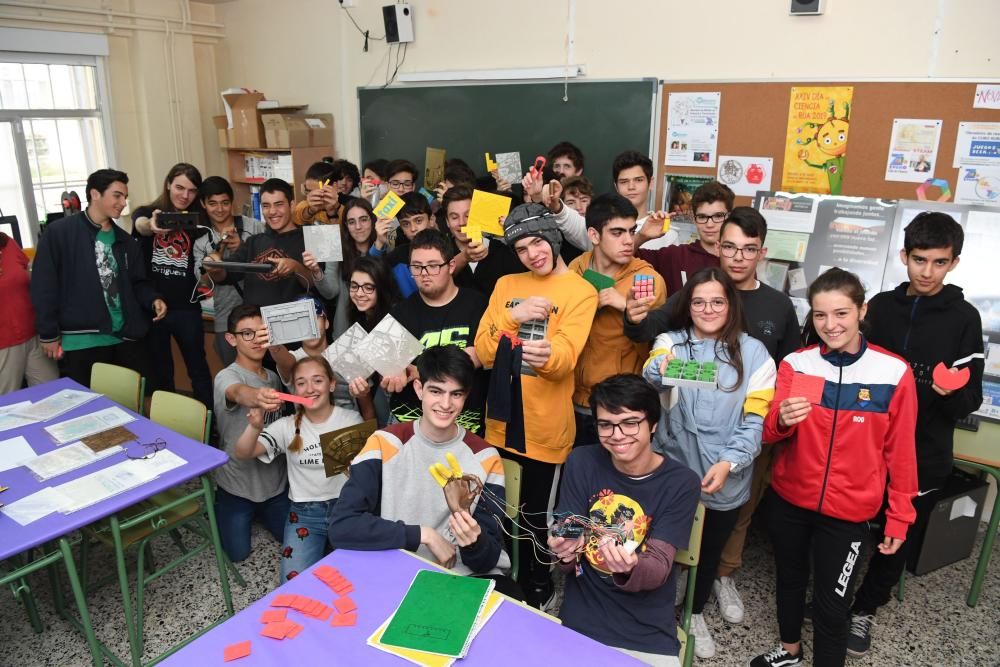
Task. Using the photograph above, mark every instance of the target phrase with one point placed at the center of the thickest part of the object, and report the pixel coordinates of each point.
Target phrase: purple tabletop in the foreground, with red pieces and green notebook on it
(514, 635)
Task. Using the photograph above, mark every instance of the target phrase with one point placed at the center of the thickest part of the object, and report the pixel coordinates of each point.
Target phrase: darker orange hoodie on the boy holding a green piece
(608, 350)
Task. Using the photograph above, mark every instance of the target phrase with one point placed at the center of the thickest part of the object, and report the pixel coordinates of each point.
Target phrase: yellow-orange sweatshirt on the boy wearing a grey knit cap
(549, 424)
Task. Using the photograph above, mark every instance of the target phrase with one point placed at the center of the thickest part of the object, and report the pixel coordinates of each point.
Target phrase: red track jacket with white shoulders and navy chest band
(836, 461)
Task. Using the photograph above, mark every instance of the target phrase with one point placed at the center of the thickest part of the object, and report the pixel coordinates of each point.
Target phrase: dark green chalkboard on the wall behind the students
(603, 118)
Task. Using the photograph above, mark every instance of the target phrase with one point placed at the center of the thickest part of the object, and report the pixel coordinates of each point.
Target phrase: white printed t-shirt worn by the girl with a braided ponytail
(307, 480)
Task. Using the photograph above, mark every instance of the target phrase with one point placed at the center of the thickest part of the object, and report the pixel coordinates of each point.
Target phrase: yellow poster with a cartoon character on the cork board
(816, 140)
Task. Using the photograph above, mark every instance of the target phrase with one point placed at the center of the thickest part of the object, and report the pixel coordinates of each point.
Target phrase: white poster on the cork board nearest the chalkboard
(692, 129)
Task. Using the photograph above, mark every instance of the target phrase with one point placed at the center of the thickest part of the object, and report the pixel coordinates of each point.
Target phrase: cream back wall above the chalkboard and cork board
(310, 52)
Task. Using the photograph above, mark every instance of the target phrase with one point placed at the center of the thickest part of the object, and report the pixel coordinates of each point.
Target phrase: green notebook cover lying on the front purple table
(438, 613)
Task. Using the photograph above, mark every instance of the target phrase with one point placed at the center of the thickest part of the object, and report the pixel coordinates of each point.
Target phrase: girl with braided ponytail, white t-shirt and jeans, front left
(312, 494)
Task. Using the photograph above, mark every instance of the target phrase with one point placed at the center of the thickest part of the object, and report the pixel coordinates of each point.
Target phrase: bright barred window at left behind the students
(52, 133)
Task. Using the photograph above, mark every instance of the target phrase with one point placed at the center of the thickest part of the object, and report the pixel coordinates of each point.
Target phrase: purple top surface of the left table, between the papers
(16, 538)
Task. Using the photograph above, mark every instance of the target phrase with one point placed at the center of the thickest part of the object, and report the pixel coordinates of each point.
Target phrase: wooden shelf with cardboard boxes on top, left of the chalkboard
(267, 141)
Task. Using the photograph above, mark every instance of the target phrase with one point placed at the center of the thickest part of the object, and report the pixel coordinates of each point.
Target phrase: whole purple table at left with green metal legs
(19, 539)
